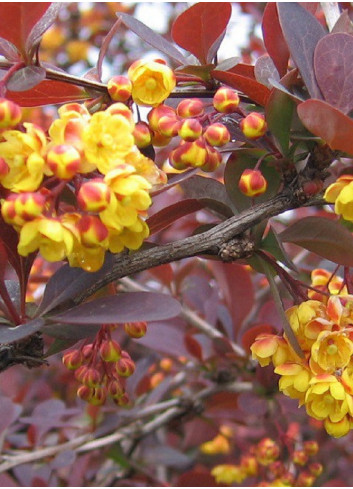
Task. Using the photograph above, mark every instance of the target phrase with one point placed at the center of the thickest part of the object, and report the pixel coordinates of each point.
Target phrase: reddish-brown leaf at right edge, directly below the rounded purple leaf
(328, 123)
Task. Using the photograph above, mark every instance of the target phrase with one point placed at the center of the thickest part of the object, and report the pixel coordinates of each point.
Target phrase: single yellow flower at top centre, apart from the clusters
(152, 82)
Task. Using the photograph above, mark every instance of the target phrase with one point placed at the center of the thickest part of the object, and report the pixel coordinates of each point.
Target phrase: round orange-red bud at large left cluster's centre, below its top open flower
(94, 196)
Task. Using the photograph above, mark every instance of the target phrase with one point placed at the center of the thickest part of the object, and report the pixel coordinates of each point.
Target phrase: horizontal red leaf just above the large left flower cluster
(48, 92)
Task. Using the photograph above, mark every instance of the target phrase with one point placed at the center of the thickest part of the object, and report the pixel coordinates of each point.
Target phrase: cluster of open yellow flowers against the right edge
(322, 378)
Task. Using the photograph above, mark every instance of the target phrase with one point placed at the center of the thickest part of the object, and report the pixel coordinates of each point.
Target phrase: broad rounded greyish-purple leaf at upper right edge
(333, 61)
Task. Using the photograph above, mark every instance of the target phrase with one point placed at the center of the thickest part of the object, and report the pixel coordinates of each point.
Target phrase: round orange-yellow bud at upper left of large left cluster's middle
(64, 161)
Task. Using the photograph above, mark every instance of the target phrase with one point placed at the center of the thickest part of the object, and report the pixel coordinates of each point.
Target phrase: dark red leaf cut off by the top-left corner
(18, 19)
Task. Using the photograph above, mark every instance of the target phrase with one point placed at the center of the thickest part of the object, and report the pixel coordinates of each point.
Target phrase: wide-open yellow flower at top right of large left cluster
(107, 140)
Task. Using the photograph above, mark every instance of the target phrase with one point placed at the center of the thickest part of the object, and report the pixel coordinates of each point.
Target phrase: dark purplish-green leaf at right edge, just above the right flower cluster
(324, 237)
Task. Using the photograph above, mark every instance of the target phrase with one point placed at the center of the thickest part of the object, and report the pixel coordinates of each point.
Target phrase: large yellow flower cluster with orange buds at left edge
(105, 177)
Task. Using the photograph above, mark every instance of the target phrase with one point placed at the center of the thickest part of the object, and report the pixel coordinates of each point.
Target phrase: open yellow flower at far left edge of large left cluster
(23, 153)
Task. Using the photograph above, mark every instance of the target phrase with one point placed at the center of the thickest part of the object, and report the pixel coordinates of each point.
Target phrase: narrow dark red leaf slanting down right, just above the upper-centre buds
(252, 88)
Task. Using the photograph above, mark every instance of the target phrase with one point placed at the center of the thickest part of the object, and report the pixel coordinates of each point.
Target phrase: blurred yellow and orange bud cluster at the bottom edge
(265, 462)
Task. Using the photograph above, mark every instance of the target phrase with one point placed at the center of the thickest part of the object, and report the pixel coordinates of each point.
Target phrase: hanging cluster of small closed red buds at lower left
(102, 366)
